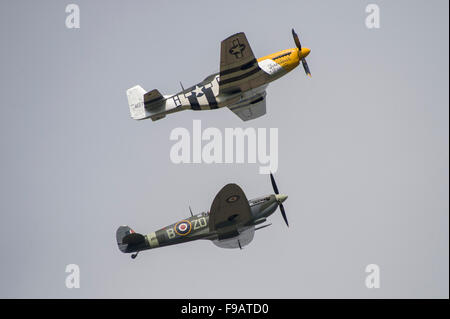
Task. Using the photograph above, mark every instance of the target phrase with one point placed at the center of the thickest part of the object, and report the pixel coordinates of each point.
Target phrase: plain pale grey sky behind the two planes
(363, 150)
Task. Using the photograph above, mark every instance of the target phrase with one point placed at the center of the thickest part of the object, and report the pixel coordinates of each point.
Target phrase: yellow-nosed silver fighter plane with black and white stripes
(240, 85)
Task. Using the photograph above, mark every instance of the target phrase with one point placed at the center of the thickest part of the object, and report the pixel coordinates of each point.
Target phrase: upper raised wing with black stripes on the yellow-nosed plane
(237, 64)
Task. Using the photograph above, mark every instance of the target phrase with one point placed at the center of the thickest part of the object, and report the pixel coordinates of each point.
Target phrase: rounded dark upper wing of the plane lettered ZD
(229, 209)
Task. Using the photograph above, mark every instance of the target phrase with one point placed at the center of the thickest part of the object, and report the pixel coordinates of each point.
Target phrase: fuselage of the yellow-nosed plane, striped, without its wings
(207, 95)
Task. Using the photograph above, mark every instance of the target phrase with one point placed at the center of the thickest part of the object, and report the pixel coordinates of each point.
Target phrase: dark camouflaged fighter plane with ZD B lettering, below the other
(230, 223)
